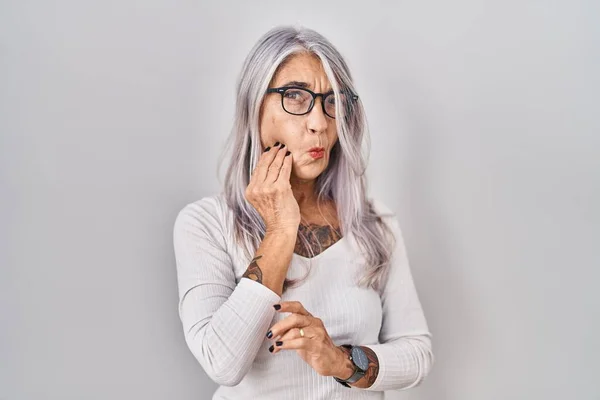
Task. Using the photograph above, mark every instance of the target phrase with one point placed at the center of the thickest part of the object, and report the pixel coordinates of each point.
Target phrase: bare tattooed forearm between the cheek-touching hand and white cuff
(270, 265)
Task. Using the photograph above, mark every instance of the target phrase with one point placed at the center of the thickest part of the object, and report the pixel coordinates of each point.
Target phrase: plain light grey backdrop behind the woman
(485, 140)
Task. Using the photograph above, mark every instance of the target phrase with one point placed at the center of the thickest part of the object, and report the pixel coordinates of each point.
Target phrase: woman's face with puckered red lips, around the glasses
(300, 133)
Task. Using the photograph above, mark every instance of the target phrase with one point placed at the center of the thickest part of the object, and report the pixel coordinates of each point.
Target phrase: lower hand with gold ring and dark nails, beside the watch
(316, 347)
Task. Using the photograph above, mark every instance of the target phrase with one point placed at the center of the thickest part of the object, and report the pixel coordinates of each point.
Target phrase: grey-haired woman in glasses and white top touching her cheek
(292, 283)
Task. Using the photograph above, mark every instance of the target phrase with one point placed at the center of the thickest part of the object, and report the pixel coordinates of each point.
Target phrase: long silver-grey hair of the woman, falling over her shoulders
(343, 181)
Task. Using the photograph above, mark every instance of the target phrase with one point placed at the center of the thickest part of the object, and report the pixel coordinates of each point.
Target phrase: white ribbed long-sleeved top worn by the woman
(225, 317)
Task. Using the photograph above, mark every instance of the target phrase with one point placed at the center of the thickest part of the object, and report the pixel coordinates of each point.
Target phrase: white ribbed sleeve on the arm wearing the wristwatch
(404, 350)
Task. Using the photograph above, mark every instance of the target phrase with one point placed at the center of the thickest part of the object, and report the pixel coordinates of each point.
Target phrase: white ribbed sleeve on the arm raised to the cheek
(224, 323)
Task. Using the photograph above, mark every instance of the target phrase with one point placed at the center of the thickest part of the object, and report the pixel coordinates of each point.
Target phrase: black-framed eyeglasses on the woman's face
(300, 101)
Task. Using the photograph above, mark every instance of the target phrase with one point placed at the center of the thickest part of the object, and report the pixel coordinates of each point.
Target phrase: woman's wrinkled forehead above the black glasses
(302, 67)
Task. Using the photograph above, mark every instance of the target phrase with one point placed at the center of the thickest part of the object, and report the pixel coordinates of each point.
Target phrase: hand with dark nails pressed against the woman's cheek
(270, 191)
